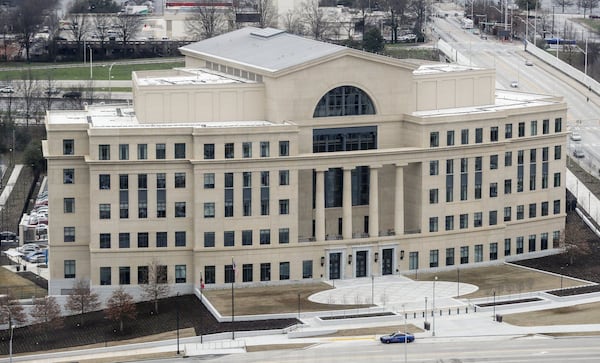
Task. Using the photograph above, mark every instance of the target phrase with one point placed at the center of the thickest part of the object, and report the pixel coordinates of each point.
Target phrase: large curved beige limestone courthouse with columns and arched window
(271, 158)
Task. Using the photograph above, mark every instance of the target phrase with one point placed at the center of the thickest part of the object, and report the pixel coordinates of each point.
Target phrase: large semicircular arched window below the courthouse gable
(344, 101)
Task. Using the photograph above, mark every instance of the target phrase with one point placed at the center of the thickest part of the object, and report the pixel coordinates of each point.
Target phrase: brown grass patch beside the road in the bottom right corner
(577, 314)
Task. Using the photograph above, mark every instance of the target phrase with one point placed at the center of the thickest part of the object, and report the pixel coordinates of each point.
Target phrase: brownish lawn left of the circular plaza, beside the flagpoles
(271, 300)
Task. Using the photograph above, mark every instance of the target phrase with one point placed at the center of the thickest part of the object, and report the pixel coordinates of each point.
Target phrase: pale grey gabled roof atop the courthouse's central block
(268, 49)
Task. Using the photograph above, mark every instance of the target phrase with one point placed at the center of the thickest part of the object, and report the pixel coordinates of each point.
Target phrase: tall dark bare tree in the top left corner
(29, 15)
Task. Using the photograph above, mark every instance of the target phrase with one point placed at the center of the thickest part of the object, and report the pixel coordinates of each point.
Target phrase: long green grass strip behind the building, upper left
(120, 72)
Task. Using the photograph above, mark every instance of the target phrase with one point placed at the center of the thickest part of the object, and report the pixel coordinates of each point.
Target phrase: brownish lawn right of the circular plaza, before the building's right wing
(505, 279)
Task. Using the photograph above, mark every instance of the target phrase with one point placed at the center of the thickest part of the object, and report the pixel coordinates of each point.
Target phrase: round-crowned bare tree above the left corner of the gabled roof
(205, 22)
